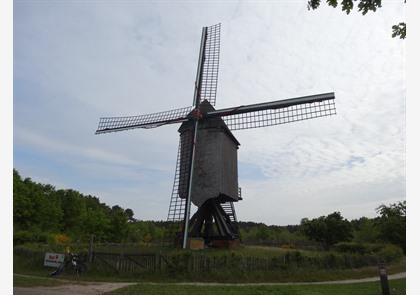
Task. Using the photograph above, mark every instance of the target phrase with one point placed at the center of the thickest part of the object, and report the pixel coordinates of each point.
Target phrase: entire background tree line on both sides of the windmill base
(40, 212)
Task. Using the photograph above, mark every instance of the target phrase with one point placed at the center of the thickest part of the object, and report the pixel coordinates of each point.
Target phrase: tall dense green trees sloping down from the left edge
(40, 210)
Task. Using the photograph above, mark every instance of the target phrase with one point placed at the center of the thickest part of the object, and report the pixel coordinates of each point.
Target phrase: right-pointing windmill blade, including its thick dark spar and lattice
(277, 112)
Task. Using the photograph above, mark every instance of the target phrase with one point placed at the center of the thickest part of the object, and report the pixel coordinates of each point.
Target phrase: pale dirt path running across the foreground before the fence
(88, 288)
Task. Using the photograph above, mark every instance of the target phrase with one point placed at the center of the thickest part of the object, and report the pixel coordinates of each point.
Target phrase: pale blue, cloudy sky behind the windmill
(77, 61)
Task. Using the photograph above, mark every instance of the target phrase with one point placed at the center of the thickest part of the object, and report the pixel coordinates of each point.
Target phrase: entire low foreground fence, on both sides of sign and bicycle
(155, 262)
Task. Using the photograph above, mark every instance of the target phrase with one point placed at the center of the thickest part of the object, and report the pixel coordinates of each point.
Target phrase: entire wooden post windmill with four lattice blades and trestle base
(206, 172)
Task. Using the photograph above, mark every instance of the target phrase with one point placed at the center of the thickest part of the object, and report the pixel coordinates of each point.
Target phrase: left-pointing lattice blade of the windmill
(114, 124)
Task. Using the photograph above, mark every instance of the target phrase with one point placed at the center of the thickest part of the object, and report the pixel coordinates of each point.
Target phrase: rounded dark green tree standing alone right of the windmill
(328, 230)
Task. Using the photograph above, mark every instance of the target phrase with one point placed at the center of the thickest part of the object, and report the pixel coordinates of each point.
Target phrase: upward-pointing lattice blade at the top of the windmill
(210, 64)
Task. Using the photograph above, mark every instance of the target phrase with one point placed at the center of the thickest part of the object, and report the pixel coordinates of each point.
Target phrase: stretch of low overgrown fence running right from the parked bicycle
(138, 263)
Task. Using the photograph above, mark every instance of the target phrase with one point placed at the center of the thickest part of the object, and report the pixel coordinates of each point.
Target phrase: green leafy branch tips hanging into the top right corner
(364, 6)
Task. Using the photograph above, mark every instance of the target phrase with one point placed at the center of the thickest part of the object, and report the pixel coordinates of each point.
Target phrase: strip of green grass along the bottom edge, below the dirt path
(397, 288)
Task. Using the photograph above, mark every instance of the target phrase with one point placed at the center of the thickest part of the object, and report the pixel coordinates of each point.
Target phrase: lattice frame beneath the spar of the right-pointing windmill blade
(270, 117)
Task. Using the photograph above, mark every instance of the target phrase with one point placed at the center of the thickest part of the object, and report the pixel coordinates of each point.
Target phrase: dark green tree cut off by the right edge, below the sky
(392, 223)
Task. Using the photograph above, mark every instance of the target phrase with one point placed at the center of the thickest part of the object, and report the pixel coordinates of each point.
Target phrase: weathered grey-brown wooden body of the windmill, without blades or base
(216, 167)
